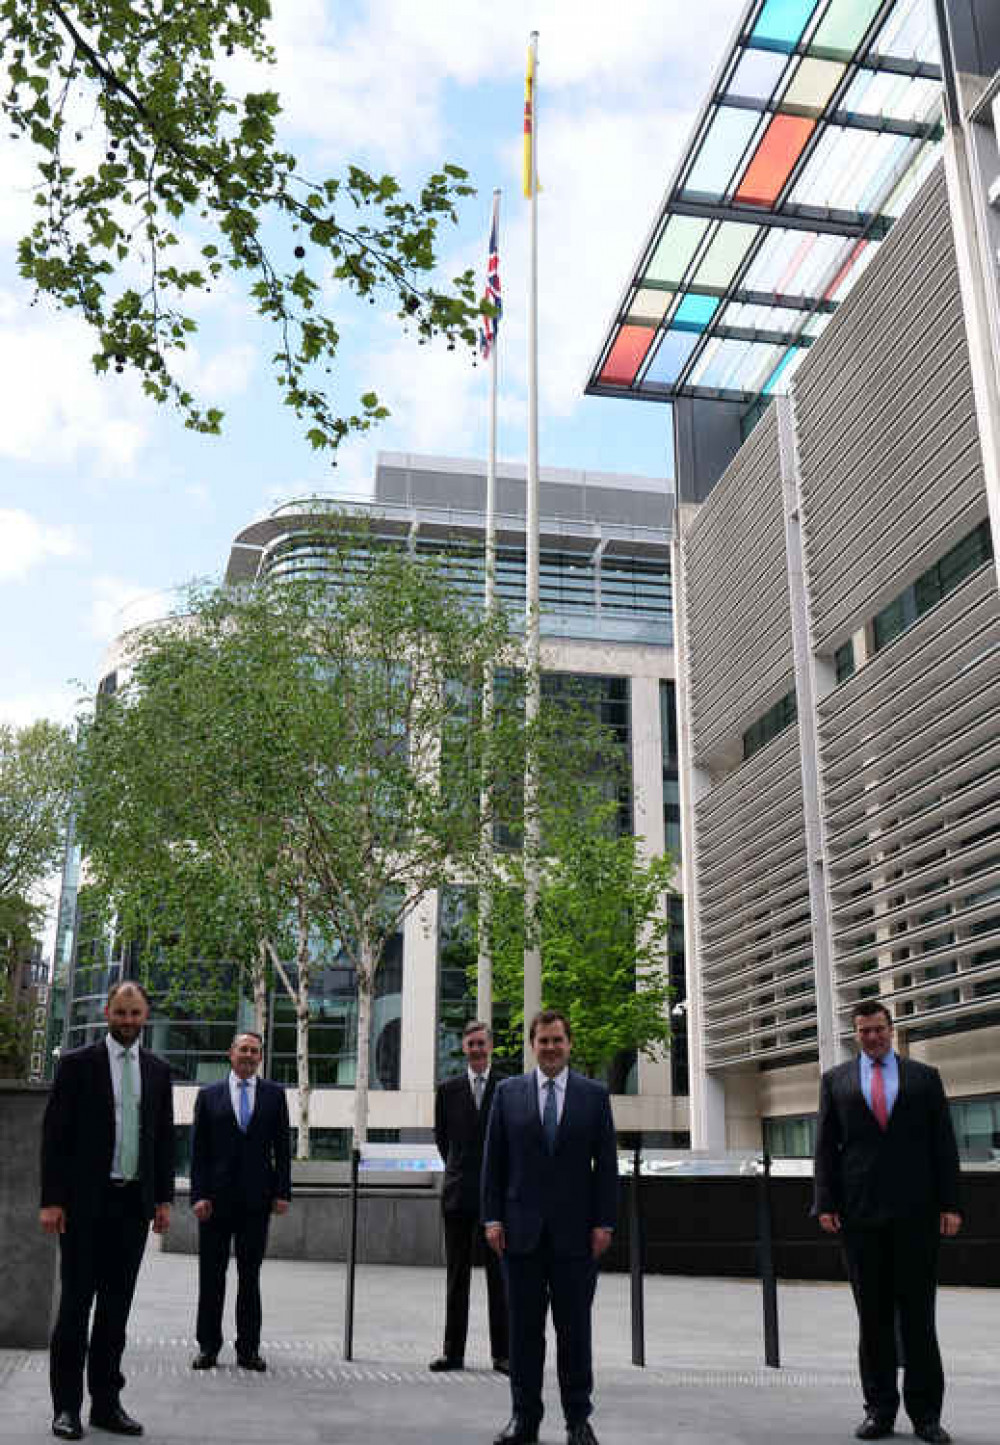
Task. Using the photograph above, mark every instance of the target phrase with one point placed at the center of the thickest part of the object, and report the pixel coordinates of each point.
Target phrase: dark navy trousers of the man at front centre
(569, 1284)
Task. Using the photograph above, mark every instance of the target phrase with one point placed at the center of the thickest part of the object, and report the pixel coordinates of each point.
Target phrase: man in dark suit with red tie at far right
(887, 1183)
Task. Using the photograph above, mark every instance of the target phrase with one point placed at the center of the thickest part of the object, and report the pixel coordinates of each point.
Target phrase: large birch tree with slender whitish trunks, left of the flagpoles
(293, 767)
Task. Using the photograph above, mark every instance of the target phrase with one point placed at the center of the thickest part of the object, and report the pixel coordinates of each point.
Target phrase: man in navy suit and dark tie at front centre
(550, 1203)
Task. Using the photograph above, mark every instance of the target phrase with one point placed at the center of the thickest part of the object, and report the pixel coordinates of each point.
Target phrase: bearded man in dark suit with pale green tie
(108, 1170)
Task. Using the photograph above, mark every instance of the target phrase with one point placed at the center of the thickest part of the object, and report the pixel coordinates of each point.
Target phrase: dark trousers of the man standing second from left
(245, 1232)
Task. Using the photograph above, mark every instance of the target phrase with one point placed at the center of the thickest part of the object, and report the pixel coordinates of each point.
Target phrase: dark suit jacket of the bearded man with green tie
(79, 1132)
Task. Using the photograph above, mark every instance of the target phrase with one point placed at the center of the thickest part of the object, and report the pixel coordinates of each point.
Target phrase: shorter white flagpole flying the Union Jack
(485, 963)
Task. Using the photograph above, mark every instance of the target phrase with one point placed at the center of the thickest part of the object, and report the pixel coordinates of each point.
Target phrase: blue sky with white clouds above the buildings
(108, 504)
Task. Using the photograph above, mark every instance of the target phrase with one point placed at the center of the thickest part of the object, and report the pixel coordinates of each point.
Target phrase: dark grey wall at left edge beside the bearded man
(30, 1258)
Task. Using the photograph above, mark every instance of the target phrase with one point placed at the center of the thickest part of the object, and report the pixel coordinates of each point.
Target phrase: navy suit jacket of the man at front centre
(569, 1193)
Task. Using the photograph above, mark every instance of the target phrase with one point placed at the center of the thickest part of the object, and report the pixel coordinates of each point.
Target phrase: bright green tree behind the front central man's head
(603, 928)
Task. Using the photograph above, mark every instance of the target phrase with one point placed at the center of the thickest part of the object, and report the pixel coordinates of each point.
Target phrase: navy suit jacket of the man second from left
(229, 1167)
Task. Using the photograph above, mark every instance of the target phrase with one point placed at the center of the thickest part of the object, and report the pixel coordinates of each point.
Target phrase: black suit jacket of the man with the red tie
(869, 1177)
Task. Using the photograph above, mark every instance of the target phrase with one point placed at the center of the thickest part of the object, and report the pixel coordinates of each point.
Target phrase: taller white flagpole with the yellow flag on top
(533, 637)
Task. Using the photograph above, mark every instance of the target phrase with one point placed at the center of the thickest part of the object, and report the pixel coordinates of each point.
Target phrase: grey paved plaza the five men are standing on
(704, 1381)
